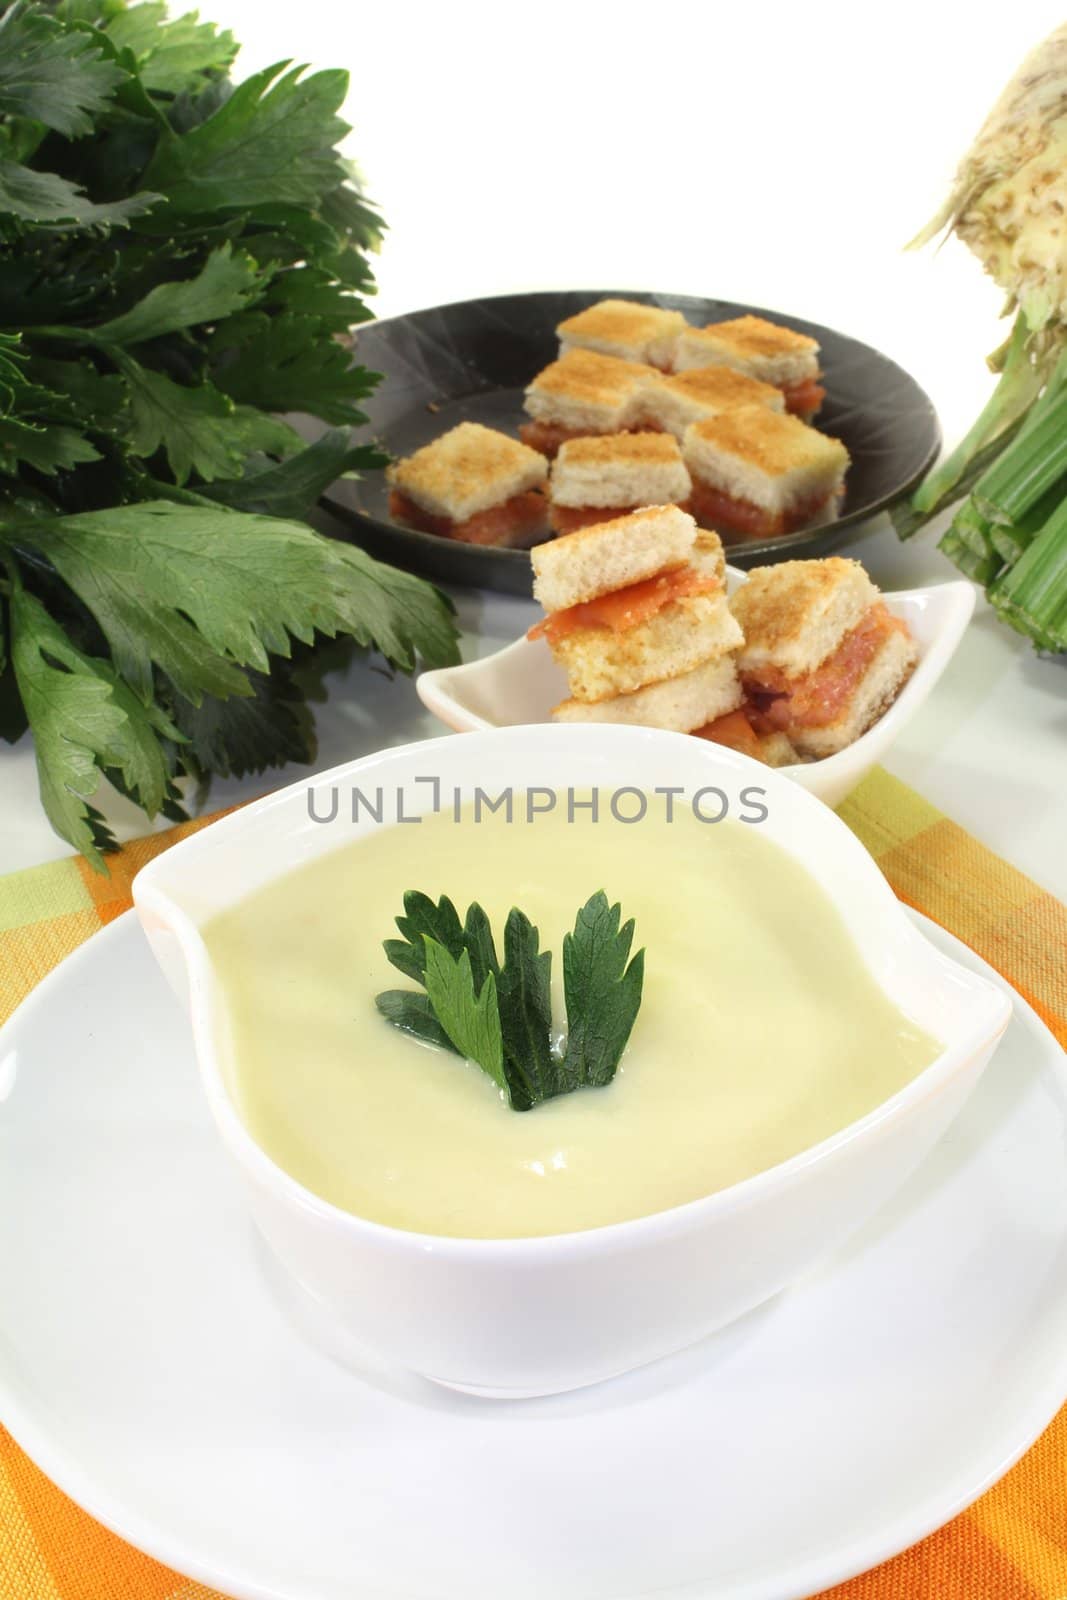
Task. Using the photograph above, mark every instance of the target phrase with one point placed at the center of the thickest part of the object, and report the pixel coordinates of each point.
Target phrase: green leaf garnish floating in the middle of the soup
(500, 1017)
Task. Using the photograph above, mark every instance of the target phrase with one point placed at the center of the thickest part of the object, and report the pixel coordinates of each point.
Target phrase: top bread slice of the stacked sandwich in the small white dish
(610, 556)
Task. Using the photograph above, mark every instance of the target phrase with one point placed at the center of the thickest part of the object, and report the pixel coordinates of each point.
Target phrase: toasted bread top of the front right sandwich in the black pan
(767, 458)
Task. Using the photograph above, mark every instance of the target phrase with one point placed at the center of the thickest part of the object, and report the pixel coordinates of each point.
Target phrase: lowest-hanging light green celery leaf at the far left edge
(84, 721)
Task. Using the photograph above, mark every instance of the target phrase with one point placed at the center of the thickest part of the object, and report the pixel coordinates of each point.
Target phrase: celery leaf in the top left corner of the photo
(50, 74)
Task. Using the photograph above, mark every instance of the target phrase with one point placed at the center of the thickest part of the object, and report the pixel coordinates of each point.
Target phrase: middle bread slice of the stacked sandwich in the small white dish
(687, 633)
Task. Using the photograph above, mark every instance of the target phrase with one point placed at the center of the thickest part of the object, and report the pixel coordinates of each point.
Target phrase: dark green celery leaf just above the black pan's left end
(294, 364)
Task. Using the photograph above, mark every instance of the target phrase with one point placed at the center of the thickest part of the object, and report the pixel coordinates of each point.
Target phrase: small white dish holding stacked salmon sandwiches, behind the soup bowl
(522, 684)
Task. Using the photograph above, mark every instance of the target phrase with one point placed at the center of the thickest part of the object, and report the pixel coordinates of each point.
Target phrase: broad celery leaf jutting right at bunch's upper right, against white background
(270, 143)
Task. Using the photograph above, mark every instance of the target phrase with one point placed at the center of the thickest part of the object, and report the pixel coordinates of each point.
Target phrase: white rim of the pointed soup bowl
(578, 1244)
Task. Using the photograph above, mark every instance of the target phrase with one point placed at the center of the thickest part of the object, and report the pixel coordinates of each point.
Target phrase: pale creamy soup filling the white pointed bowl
(761, 1031)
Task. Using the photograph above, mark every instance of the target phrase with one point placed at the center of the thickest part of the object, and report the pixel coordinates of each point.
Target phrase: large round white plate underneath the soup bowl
(153, 1367)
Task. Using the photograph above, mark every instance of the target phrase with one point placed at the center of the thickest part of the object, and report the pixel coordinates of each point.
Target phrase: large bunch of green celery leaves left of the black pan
(178, 257)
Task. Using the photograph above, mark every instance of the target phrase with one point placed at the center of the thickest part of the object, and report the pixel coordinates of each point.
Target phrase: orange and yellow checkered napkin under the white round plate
(1012, 1545)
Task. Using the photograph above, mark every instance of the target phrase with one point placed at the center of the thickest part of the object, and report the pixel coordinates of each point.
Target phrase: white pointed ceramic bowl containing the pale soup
(540, 1316)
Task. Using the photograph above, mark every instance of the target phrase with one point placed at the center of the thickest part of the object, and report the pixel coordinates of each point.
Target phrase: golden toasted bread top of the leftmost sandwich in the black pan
(468, 471)
